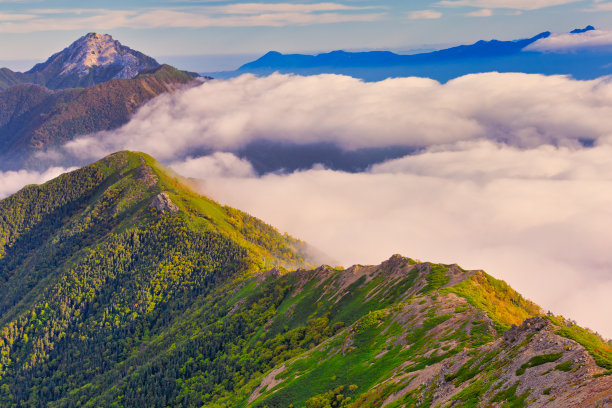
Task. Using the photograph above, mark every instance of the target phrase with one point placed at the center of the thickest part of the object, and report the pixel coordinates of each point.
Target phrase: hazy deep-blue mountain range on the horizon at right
(442, 65)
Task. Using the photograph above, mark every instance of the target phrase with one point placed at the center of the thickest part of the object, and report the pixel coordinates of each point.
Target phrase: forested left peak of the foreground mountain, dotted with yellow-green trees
(89, 270)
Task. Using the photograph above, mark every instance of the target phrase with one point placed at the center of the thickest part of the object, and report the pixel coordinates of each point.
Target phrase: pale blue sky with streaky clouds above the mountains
(34, 29)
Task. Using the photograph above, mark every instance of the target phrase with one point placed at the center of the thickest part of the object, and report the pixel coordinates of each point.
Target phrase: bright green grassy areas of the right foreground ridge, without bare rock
(387, 335)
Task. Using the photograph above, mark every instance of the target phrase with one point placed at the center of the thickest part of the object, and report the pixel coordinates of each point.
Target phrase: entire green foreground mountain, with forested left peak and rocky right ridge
(119, 286)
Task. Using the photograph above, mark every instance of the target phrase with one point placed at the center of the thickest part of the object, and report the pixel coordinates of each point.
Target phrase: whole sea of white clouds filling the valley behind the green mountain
(514, 173)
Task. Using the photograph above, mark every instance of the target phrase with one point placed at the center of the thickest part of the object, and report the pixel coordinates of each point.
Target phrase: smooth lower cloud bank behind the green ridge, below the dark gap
(540, 219)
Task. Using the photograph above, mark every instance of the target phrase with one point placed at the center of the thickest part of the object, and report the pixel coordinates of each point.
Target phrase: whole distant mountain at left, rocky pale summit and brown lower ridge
(94, 84)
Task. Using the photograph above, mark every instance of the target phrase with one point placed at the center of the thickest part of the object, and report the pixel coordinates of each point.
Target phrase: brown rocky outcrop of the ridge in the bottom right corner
(541, 384)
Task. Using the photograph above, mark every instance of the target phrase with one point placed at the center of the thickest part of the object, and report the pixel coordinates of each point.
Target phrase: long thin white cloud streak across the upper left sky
(231, 15)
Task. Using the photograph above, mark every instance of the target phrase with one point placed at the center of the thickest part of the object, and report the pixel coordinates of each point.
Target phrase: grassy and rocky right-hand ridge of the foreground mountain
(409, 334)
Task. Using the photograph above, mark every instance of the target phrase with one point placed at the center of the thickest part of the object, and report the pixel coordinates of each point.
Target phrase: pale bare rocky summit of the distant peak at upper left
(92, 59)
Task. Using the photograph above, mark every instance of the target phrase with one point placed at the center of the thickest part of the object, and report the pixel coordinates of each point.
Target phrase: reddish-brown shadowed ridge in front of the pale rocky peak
(34, 118)
